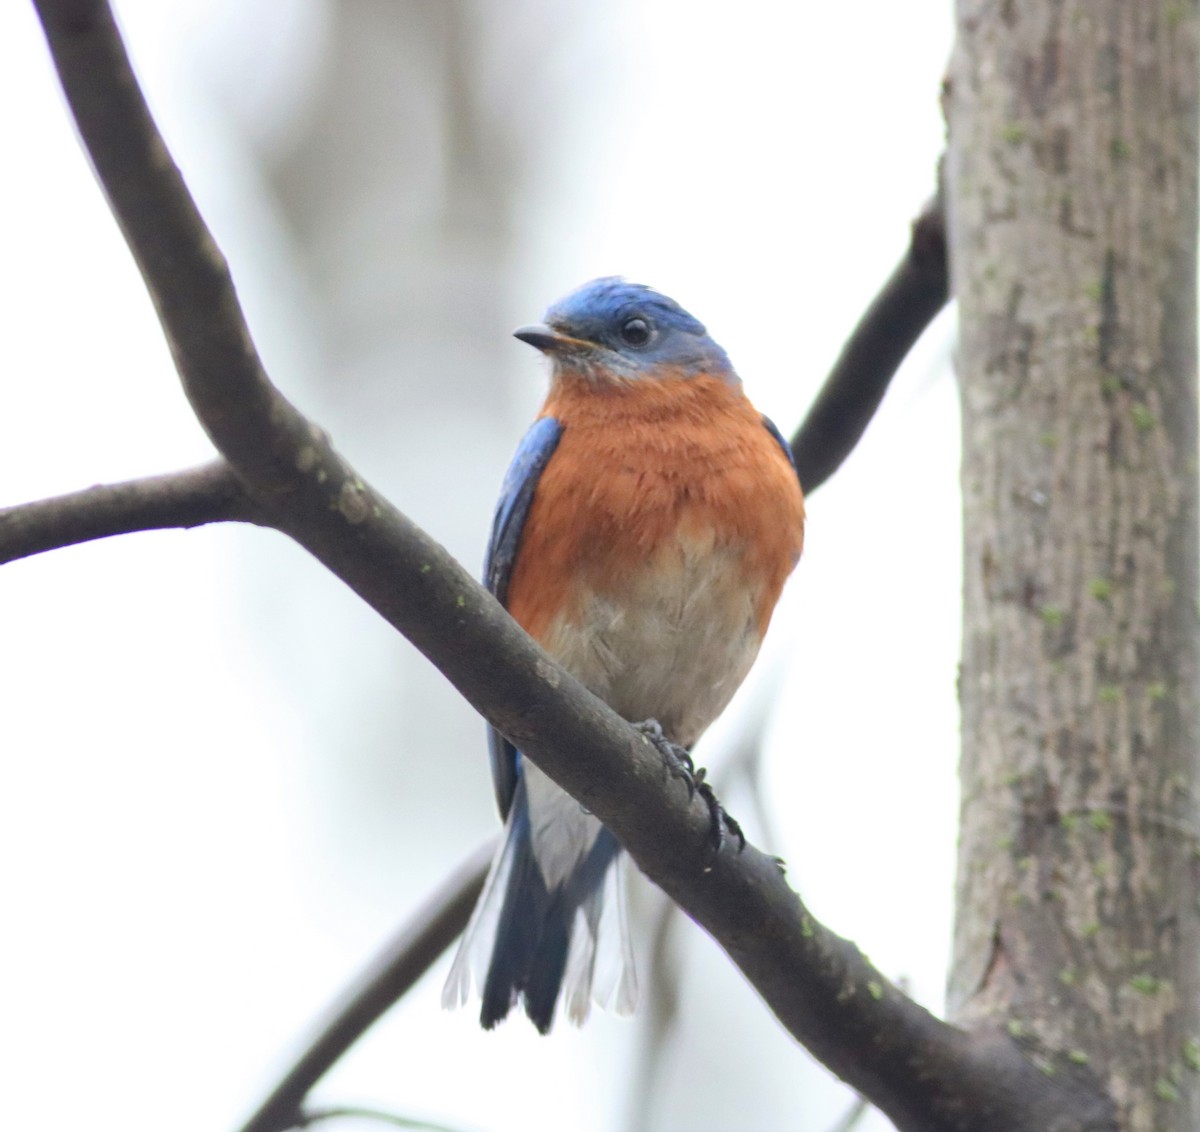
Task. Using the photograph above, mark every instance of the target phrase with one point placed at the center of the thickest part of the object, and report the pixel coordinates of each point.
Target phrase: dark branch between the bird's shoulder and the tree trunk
(908, 303)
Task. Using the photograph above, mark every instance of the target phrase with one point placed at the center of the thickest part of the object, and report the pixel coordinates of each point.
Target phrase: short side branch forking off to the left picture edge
(191, 499)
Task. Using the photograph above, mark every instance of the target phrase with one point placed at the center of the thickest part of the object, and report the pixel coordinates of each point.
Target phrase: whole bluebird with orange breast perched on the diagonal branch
(644, 535)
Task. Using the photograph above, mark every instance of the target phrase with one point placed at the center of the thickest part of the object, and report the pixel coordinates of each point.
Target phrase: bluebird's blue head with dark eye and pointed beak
(613, 331)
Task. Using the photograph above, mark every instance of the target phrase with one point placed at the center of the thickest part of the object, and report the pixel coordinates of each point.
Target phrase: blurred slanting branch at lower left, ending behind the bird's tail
(413, 951)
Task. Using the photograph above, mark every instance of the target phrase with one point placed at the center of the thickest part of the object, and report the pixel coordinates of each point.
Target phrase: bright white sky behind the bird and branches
(182, 895)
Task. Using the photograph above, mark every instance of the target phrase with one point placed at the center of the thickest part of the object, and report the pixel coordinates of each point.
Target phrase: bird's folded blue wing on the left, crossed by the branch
(517, 496)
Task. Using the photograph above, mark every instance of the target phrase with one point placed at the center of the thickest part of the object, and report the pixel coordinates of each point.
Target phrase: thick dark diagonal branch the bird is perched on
(925, 1074)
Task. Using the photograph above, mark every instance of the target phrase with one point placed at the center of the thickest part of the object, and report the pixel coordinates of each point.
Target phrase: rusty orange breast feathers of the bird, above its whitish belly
(641, 466)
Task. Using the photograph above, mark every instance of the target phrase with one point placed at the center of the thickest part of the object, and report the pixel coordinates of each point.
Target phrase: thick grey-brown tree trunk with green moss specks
(1072, 191)
